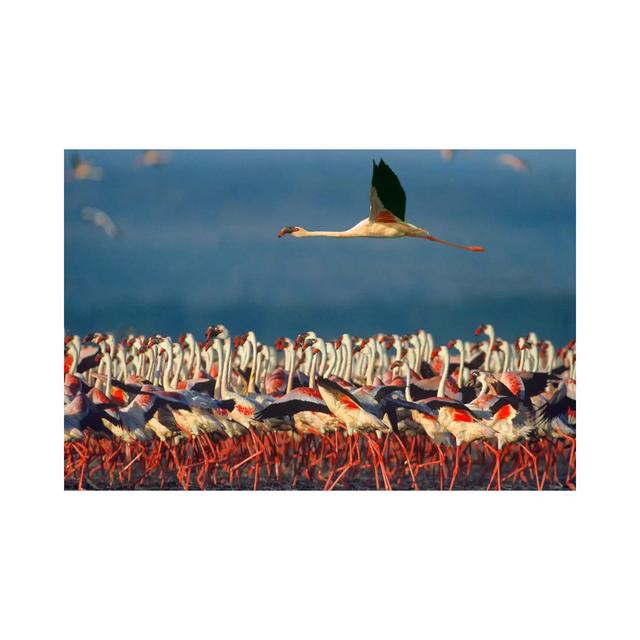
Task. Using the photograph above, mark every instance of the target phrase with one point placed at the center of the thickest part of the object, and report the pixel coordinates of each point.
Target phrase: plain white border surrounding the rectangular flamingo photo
(335, 75)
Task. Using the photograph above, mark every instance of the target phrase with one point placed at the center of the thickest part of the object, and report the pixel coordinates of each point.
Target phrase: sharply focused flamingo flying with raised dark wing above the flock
(386, 214)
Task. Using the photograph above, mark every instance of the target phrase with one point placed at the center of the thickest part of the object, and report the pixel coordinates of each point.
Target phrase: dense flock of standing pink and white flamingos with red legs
(383, 411)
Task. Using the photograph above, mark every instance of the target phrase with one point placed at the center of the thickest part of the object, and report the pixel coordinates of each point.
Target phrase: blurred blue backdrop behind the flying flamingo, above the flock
(199, 245)
